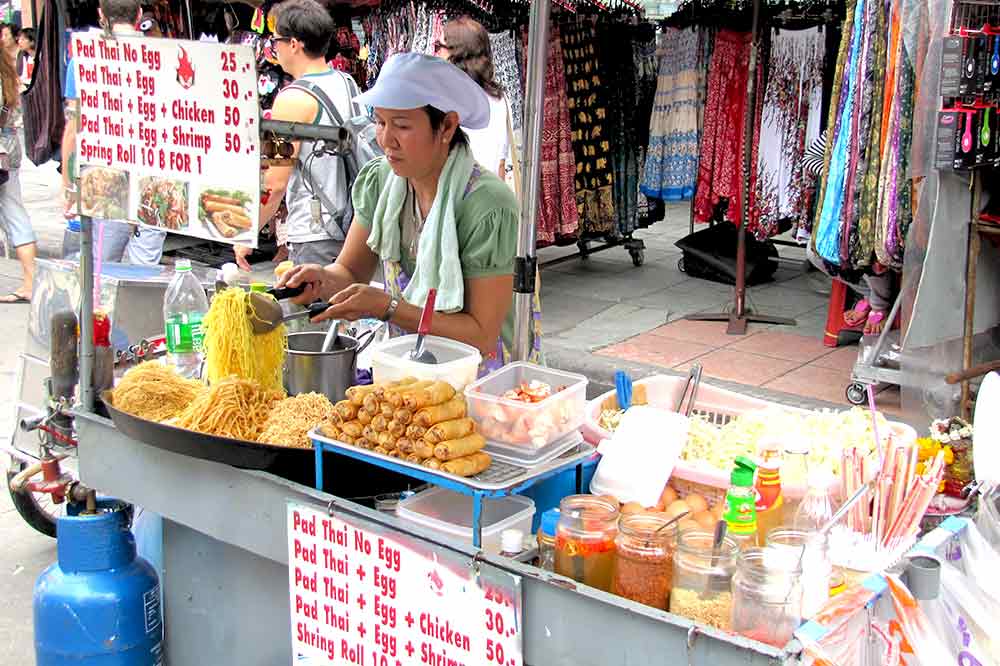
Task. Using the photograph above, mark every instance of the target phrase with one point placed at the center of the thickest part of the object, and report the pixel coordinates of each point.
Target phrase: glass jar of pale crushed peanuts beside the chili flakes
(703, 577)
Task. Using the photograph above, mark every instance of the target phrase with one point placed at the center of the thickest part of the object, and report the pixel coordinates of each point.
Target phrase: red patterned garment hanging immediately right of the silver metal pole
(558, 218)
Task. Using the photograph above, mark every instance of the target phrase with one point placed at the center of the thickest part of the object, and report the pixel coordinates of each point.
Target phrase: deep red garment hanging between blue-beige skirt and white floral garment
(720, 169)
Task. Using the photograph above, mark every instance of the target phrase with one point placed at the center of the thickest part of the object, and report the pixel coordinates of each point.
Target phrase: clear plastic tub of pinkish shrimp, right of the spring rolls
(531, 425)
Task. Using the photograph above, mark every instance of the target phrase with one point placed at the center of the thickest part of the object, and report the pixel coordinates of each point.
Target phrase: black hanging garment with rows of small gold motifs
(591, 140)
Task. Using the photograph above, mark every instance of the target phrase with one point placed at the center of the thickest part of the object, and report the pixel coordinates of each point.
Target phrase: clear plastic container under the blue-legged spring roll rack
(450, 513)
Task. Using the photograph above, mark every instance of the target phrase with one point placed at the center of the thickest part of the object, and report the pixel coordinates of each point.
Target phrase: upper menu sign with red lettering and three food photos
(168, 135)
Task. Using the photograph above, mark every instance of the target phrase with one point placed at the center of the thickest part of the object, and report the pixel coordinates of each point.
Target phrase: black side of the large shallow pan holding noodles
(236, 452)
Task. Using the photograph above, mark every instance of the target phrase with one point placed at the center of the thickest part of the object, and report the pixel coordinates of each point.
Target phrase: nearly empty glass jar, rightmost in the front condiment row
(767, 597)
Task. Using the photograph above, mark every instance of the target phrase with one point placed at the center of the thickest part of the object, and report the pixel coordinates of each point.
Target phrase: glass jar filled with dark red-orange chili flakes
(644, 564)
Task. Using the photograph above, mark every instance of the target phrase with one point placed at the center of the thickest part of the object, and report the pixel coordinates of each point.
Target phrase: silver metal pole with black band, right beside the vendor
(526, 263)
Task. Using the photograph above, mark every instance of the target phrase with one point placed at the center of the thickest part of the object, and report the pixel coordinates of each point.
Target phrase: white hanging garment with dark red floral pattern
(790, 122)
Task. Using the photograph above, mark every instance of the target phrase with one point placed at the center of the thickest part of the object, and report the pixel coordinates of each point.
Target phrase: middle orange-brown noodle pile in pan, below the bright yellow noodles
(232, 407)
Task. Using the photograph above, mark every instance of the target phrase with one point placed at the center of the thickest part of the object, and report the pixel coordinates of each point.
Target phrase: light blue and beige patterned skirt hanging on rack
(672, 160)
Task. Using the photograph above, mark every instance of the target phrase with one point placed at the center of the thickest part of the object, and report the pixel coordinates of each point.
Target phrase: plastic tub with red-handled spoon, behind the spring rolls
(458, 363)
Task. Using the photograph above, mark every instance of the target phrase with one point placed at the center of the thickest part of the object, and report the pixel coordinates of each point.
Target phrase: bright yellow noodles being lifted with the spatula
(232, 349)
